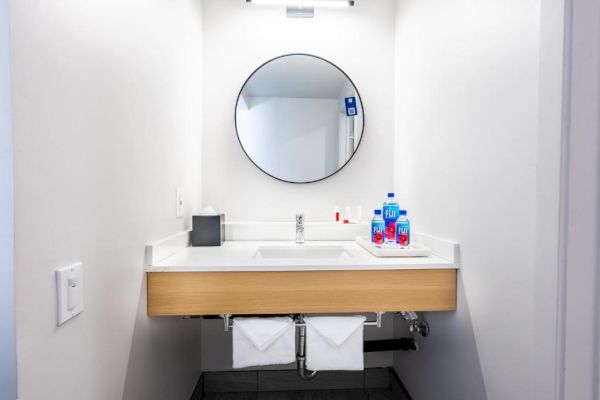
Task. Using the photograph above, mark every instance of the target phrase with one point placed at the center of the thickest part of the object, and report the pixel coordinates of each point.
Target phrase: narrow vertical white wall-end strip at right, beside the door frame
(550, 110)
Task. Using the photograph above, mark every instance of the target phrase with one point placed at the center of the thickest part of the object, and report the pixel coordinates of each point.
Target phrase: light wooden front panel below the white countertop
(213, 293)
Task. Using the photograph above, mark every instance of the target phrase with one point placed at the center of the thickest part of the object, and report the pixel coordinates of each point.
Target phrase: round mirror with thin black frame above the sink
(299, 118)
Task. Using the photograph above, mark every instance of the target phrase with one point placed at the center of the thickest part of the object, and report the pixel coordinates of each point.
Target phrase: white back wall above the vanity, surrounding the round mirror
(237, 39)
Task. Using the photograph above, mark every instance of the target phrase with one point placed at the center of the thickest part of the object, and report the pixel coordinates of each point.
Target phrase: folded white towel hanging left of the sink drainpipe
(263, 341)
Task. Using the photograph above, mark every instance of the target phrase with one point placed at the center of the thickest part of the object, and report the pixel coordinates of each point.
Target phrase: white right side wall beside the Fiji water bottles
(466, 143)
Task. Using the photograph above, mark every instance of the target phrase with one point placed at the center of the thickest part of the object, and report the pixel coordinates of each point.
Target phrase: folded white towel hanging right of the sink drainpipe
(334, 343)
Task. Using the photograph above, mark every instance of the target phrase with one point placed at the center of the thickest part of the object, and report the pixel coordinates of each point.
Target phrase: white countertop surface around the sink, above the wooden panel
(235, 256)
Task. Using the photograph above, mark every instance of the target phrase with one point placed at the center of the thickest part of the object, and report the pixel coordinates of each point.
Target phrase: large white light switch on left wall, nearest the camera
(69, 290)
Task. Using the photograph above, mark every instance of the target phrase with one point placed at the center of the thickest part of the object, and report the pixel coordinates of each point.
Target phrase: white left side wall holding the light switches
(106, 113)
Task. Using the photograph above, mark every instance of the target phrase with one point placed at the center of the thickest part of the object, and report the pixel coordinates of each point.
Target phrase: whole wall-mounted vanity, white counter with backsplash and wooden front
(281, 277)
